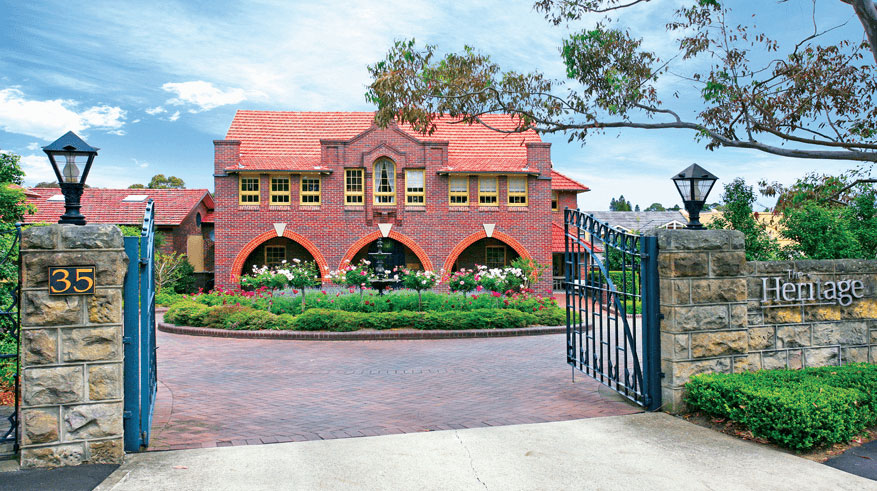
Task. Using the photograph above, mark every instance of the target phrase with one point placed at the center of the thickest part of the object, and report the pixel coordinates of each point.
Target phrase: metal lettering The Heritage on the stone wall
(796, 289)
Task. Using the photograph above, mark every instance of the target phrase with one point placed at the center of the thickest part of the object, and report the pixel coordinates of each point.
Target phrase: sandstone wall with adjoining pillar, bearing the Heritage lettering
(714, 319)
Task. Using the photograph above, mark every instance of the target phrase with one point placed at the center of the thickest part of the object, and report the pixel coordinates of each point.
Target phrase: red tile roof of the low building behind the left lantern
(106, 205)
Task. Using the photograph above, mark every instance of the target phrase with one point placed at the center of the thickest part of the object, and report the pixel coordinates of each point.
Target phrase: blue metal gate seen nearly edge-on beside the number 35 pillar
(141, 381)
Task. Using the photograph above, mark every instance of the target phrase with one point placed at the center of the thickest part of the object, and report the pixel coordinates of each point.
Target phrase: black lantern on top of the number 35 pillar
(72, 173)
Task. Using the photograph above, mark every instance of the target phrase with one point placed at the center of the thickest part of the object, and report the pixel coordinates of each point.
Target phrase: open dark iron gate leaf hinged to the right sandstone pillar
(611, 288)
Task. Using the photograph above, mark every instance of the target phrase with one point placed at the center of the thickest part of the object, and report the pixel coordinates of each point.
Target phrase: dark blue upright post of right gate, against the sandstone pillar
(652, 326)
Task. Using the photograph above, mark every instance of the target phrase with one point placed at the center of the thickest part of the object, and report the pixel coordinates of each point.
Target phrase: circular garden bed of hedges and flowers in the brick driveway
(396, 315)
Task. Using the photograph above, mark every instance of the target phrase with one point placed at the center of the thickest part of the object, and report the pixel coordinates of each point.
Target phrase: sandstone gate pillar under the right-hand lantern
(703, 303)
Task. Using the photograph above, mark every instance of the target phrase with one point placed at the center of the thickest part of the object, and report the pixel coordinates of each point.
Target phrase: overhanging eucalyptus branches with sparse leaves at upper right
(811, 98)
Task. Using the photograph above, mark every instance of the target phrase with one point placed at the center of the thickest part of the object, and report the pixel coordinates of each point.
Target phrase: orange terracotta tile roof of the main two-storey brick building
(275, 140)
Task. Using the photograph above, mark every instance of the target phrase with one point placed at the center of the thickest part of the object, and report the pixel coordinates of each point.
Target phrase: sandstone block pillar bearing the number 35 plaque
(71, 349)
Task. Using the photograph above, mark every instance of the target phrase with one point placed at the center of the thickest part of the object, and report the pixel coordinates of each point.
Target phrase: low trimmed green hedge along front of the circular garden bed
(241, 317)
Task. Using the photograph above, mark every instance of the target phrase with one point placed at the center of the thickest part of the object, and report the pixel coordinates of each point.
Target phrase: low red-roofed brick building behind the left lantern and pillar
(183, 216)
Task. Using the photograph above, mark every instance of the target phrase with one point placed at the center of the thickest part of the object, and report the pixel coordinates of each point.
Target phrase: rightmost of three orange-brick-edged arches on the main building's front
(478, 249)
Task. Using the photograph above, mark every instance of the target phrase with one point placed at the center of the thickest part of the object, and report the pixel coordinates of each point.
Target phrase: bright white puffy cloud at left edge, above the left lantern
(49, 119)
